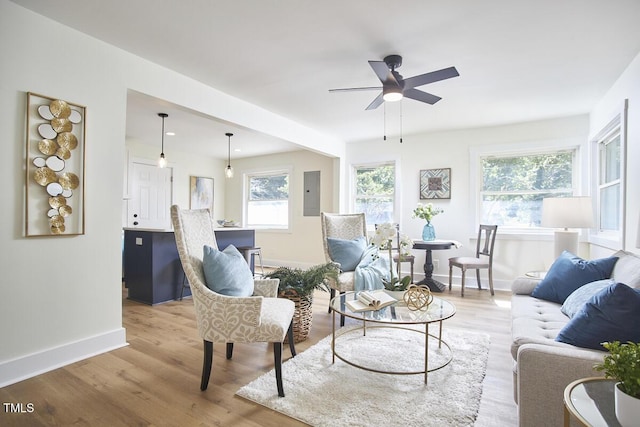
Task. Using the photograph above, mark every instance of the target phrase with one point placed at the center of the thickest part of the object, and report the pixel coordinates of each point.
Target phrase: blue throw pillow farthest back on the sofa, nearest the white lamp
(568, 273)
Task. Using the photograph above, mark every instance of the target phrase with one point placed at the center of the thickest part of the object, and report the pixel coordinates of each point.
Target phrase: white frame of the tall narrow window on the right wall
(612, 239)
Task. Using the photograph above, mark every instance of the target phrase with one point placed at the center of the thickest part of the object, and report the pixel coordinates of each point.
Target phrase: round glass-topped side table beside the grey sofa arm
(591, 402)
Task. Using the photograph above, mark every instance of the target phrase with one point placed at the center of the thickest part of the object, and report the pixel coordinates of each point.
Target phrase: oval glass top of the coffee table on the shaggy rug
(439, 309)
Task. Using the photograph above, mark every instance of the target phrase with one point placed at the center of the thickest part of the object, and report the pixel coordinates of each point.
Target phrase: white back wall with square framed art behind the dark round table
(514, 256)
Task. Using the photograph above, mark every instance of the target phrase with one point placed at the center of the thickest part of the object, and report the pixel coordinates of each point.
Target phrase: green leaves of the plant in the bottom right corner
(623, 364)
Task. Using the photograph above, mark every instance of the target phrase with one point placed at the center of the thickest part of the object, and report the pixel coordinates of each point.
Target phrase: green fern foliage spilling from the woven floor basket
(304, 282)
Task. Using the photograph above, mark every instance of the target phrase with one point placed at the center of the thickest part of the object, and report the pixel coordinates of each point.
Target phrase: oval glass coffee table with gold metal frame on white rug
(396, 316)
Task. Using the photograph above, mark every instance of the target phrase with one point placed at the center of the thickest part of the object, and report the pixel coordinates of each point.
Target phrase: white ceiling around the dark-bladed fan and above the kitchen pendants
(518, 60)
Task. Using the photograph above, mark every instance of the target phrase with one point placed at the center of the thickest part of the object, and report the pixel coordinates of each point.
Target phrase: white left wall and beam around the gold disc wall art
(60, 298)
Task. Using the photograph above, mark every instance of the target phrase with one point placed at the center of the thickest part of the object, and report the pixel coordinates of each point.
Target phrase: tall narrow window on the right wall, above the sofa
(609, 182)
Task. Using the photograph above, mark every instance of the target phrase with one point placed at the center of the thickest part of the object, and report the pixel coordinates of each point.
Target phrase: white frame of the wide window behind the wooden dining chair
(477, 154)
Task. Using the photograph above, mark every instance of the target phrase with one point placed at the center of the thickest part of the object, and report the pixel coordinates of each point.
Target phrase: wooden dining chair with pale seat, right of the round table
(482, 260)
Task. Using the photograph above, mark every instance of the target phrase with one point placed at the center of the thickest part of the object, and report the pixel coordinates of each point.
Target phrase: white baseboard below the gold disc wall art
(22, 368)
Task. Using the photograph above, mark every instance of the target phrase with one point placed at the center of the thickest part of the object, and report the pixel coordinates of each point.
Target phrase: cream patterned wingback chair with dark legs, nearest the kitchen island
(261, 317)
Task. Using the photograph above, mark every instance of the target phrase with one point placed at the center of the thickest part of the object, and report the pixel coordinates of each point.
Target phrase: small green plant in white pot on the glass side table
(623, 364)
